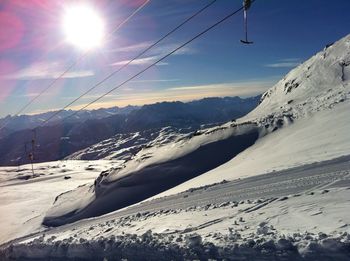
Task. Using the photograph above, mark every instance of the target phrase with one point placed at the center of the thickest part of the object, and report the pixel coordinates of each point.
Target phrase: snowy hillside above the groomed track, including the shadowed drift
(284, 128)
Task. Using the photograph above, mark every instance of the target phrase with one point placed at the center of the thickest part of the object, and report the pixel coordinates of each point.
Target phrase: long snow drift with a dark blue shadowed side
(154, 170)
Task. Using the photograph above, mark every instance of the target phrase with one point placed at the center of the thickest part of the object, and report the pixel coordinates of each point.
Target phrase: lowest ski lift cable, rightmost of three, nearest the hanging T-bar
(161, 59)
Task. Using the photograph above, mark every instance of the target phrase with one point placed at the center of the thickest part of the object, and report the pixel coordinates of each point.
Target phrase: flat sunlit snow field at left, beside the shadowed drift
(26, 199)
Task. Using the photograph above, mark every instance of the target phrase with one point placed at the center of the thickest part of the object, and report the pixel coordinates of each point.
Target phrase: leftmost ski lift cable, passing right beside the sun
(81, 57)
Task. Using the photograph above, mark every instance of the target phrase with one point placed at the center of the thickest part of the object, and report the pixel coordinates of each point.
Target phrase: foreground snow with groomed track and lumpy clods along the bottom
(255, 209)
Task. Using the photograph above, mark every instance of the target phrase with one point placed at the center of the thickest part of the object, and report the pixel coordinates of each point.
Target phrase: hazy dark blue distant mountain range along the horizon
(54, 142)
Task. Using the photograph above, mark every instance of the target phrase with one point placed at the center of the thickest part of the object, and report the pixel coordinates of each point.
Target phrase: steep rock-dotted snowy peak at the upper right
(317, 84)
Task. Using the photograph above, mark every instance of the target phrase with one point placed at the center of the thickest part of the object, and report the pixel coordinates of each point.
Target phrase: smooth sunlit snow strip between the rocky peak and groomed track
(317, 138)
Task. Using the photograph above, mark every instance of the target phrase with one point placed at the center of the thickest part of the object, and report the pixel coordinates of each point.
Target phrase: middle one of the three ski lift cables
(130, 61)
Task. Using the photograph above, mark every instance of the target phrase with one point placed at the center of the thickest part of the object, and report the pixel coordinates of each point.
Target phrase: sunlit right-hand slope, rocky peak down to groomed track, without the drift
(309, 107)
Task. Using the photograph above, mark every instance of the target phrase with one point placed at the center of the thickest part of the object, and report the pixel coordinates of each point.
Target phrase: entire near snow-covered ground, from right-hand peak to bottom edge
(289, 214)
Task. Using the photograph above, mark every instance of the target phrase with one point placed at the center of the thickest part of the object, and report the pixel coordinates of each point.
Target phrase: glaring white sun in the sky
(83, 27)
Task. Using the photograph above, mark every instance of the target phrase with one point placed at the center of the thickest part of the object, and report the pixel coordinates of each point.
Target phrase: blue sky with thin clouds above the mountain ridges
(33, 51)
